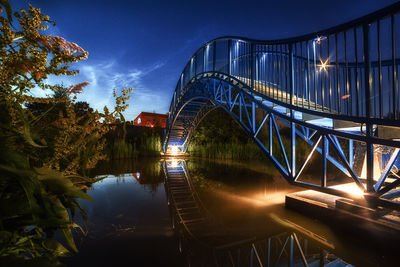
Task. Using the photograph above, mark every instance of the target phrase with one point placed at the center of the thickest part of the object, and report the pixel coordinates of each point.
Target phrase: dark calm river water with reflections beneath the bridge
(239, 218)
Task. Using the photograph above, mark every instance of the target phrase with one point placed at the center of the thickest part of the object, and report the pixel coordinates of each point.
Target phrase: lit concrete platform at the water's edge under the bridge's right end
(345, 213)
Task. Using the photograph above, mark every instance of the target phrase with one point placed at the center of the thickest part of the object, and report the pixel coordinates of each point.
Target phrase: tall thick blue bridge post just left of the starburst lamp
(292, 124)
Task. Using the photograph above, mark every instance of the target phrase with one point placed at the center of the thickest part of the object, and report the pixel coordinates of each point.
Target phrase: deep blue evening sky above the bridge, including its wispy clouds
(145, 44)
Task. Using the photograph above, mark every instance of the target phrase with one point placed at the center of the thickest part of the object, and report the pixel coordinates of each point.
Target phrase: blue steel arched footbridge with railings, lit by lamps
(336, 89)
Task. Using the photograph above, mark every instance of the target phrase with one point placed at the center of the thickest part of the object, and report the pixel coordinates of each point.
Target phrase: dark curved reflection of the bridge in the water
(206, 243)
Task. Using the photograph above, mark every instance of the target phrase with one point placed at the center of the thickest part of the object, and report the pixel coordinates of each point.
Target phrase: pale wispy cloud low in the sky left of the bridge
(104, 77)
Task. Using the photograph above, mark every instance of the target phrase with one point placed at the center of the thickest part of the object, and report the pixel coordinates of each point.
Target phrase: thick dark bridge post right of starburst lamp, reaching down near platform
(368, 108)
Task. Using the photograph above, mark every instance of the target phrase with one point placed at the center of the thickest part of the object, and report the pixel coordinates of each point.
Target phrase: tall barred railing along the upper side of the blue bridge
(351, 70)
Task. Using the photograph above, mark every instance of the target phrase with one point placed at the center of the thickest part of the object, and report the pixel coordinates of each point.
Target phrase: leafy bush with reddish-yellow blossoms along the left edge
(46, 147)
